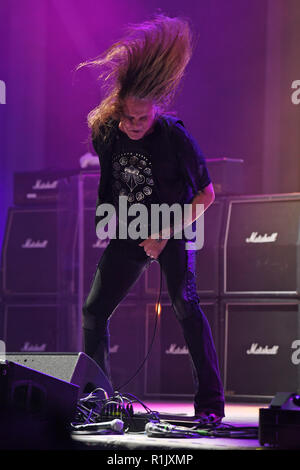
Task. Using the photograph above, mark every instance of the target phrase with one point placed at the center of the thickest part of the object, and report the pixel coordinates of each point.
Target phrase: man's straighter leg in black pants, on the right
(178, 265)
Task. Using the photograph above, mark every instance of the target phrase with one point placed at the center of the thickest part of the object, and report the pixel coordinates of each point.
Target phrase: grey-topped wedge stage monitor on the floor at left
(76, 368)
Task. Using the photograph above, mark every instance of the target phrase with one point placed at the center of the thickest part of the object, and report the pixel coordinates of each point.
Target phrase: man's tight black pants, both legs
(121, 264)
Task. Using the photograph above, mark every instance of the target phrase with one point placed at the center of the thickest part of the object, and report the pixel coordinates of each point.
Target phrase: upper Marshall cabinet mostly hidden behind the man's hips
(207, 258)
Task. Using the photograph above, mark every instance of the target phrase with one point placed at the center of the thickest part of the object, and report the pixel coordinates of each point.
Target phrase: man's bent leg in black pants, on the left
(120, 266)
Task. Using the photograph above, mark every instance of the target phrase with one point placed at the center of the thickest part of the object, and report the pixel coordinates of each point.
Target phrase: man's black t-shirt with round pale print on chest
(153, 170)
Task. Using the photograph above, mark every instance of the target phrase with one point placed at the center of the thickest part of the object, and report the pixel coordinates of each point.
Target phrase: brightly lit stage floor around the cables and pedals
(236, 414)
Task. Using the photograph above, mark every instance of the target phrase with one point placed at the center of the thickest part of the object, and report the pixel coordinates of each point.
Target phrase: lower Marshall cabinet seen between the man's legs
(168, 371)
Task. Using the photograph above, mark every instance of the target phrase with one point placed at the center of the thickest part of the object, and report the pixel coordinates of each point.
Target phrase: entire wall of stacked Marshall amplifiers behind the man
(247, 279)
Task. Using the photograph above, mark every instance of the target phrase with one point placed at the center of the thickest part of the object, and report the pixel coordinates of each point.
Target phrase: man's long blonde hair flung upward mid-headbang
(148, 63)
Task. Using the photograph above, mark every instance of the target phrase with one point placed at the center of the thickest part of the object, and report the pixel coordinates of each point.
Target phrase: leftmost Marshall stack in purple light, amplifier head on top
(34, 317)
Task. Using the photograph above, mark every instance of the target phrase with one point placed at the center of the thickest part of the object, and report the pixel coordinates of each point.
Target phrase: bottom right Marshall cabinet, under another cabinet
(261, 347)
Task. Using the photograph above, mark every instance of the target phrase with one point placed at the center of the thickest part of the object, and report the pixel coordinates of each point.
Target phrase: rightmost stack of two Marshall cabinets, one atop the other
(260, 295)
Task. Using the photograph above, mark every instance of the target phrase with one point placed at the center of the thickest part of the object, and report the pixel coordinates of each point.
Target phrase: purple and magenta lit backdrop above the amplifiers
(240, 96)
